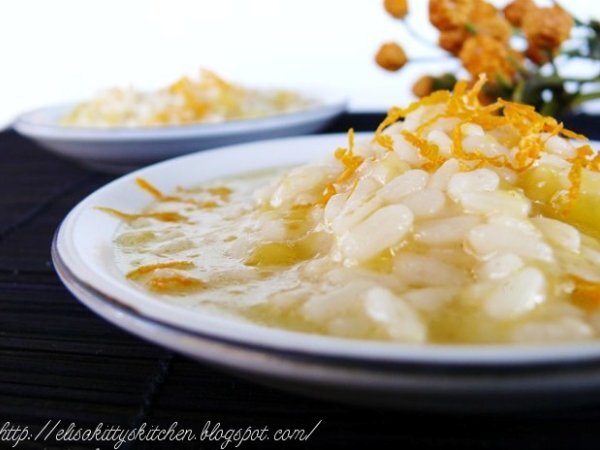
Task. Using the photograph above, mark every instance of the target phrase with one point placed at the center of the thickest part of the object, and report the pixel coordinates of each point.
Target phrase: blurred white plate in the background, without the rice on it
(123, 149)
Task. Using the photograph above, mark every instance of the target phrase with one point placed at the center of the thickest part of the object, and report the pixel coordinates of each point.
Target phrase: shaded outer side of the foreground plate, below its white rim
(439, 387)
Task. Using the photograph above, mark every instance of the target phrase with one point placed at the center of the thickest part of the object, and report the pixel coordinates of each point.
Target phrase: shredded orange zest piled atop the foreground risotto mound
(525, 124)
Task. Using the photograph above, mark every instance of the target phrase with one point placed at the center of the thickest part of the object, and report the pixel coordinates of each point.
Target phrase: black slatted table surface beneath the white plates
(59, 361)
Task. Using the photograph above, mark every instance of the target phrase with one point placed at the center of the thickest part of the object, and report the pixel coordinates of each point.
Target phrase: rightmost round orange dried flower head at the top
(547, 28)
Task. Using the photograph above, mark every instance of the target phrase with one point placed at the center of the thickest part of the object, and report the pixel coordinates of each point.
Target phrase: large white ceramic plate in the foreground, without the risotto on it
(426, 377)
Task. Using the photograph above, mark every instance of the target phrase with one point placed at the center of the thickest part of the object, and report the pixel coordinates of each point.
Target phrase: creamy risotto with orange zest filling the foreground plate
(455, 223)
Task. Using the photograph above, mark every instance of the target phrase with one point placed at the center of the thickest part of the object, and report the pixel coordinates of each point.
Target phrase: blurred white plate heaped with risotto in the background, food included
(122, 130)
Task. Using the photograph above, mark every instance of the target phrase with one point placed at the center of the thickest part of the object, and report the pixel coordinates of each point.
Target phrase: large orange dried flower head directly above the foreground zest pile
(484, 54)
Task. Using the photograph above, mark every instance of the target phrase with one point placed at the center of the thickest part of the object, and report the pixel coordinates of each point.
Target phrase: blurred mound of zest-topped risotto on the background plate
(210, 99)
